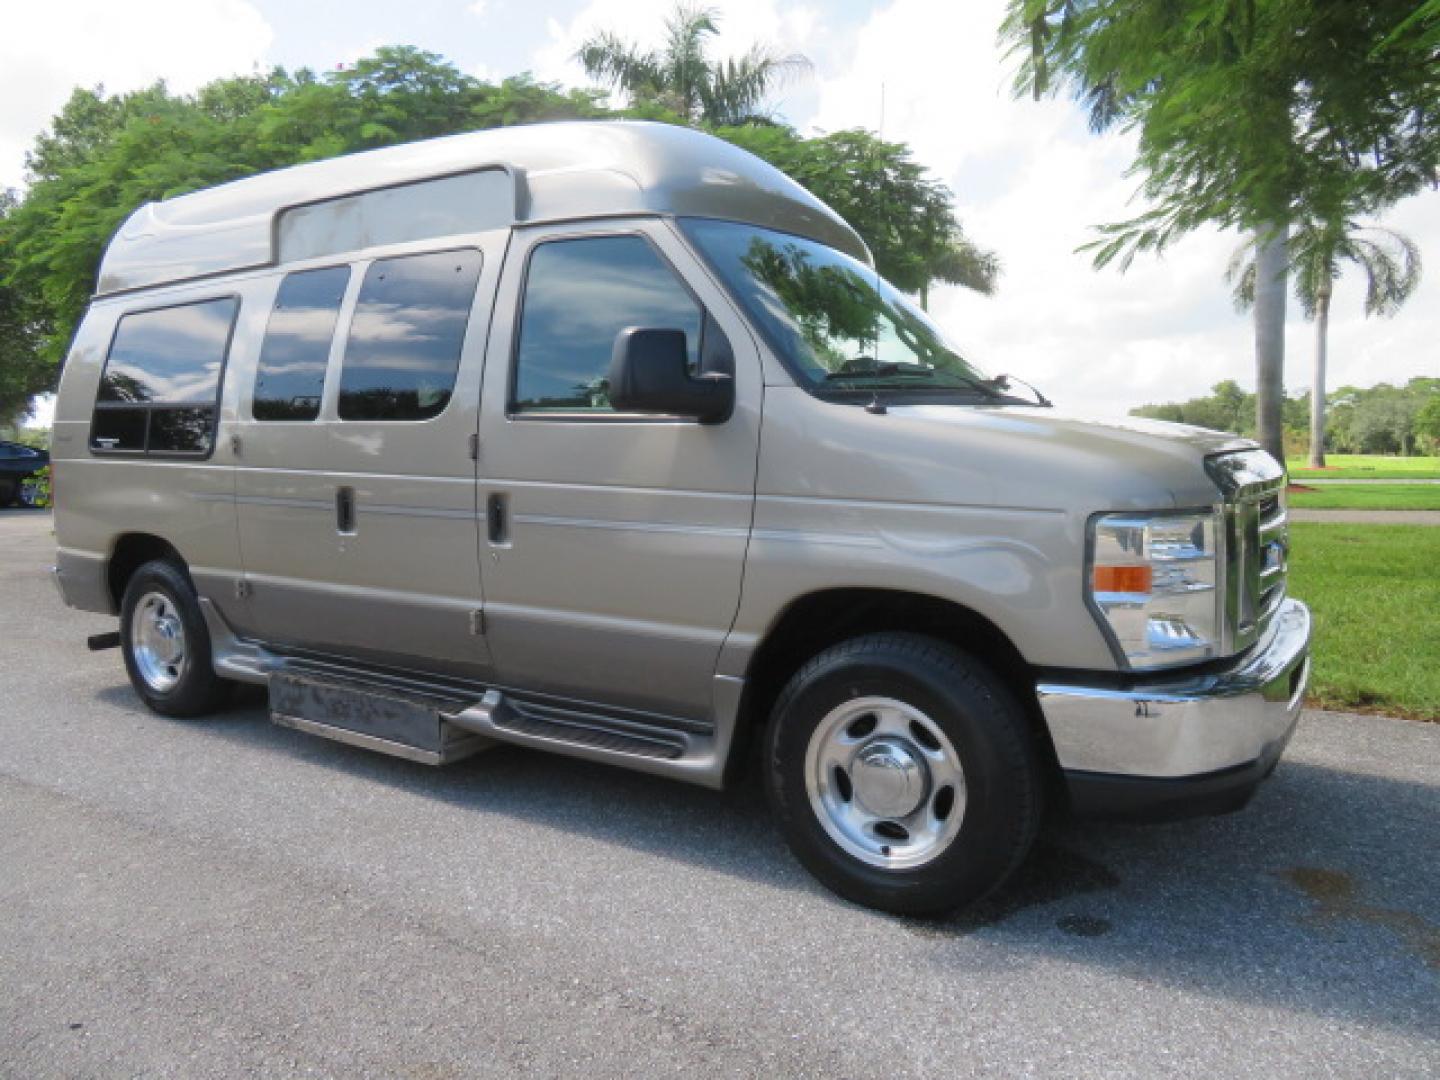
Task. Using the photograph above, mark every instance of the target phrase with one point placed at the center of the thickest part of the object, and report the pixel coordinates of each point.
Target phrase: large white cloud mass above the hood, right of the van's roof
(1032, 182)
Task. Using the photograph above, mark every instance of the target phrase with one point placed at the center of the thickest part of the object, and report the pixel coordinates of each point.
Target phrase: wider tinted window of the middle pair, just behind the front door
(407, 335)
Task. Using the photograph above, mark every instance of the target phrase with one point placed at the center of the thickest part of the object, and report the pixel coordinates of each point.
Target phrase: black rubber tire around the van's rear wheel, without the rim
(197, 690)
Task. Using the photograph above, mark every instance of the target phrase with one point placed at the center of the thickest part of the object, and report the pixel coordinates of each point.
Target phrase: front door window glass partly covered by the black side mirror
(580, 294)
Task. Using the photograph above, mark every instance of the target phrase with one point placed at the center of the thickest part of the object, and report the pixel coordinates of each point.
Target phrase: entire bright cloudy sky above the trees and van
(1030, 181)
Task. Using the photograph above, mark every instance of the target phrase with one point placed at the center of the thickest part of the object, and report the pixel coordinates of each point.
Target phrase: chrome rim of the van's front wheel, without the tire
(886, 784)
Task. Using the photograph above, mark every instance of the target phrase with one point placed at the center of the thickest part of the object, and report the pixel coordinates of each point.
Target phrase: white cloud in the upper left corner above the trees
(55, 45)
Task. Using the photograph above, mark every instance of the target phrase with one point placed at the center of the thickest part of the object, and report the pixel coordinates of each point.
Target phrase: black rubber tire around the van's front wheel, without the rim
(989, 731)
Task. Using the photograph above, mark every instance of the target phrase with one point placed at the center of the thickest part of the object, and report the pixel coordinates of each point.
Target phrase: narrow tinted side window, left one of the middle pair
(292, 372)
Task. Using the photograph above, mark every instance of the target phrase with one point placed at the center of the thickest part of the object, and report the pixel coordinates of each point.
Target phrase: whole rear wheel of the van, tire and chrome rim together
(166, 643)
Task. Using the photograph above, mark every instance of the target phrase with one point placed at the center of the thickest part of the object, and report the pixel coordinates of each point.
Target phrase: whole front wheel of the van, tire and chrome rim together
(904, 775)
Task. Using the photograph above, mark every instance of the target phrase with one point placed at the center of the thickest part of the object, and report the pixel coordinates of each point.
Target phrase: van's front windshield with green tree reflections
(836, 323)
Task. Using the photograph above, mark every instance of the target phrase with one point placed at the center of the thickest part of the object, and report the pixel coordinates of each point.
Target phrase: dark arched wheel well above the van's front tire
(819, 621)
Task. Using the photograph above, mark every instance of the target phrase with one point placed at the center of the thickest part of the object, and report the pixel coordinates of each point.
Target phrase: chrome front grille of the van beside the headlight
(1256, 544)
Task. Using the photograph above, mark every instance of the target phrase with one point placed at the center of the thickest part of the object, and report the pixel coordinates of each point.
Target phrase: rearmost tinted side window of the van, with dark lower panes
(161, 390)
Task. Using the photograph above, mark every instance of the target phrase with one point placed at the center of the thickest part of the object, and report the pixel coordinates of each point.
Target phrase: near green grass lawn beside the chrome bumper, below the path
(1376, 595)
